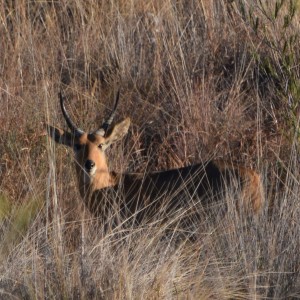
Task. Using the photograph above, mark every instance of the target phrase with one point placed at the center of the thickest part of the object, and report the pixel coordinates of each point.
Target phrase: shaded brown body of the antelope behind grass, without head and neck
(196, 188)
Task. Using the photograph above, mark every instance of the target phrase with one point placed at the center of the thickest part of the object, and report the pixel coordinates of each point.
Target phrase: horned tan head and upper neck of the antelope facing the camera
(89, 148)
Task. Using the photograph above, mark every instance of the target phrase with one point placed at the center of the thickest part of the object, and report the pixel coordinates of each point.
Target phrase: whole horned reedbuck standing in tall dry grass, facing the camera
(142, 196)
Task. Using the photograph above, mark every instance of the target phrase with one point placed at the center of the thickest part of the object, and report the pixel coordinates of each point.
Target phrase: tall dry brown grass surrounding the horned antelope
(200, 80)
